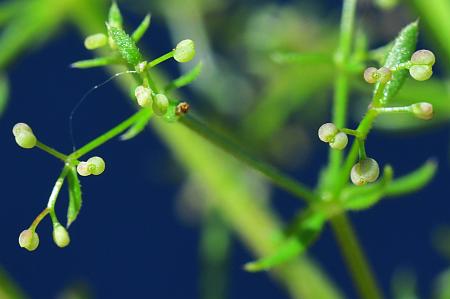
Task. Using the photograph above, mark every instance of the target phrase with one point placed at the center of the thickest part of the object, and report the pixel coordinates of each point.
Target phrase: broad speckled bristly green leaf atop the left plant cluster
(125, 44)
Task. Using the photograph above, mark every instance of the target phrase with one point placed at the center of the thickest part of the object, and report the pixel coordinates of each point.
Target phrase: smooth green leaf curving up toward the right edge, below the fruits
(413, 181)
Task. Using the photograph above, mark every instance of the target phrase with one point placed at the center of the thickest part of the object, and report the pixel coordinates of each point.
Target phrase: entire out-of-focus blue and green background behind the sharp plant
(163, 223)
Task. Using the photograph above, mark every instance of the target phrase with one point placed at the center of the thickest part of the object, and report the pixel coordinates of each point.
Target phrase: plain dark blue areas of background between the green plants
(127, 242)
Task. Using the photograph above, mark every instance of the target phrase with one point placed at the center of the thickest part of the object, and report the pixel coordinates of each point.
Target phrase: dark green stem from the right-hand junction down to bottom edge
(354, 257)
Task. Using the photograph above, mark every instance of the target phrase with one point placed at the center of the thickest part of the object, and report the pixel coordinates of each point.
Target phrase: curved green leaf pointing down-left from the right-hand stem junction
(308, 231)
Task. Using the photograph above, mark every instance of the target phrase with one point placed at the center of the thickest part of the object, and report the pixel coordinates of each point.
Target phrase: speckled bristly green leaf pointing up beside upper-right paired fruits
(403, 48)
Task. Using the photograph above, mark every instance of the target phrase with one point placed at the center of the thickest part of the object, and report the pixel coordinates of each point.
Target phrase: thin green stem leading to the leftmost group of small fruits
(108, 135)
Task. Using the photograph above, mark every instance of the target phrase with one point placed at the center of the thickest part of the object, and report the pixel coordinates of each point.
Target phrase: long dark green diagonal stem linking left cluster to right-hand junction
(278, 178)
